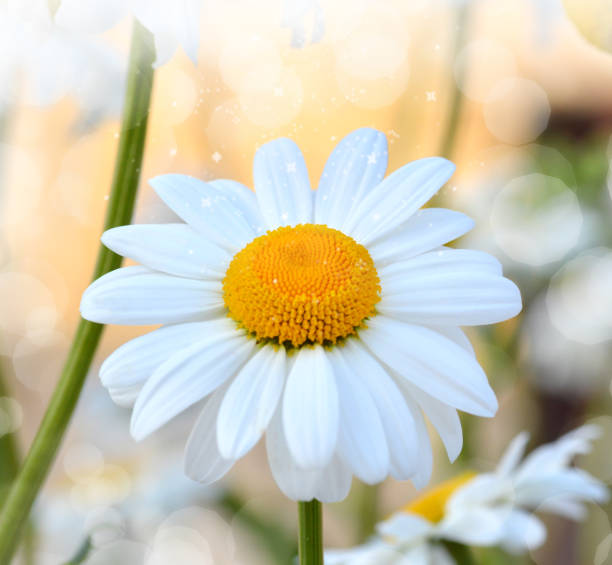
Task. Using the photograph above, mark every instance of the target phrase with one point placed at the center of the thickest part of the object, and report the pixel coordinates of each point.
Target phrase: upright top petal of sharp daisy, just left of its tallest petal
(282, 187)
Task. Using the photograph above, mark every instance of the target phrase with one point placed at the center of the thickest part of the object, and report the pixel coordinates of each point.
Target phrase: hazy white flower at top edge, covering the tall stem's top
(172, 24)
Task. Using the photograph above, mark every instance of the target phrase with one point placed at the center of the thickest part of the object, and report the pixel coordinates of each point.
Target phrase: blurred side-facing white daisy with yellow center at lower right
(491, 509)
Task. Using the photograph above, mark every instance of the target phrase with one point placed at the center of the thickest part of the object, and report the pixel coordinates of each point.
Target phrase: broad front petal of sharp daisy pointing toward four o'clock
(432, 362)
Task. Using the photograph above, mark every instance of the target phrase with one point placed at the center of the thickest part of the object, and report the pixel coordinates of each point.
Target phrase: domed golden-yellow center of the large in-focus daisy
(301, 285)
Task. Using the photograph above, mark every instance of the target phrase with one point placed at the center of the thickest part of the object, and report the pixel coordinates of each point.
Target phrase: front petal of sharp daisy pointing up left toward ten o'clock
(205, 208)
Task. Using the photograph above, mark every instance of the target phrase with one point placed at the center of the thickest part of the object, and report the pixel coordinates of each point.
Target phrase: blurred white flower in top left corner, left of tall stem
(51, 62)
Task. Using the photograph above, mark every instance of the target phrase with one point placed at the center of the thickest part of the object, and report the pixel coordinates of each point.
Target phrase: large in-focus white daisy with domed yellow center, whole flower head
(326, 320)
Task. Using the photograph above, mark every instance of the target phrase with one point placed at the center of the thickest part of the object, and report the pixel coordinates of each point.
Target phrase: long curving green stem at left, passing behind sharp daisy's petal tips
(121, 204)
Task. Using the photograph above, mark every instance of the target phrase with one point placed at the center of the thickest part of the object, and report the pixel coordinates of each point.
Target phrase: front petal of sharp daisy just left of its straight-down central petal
(250, 402)
